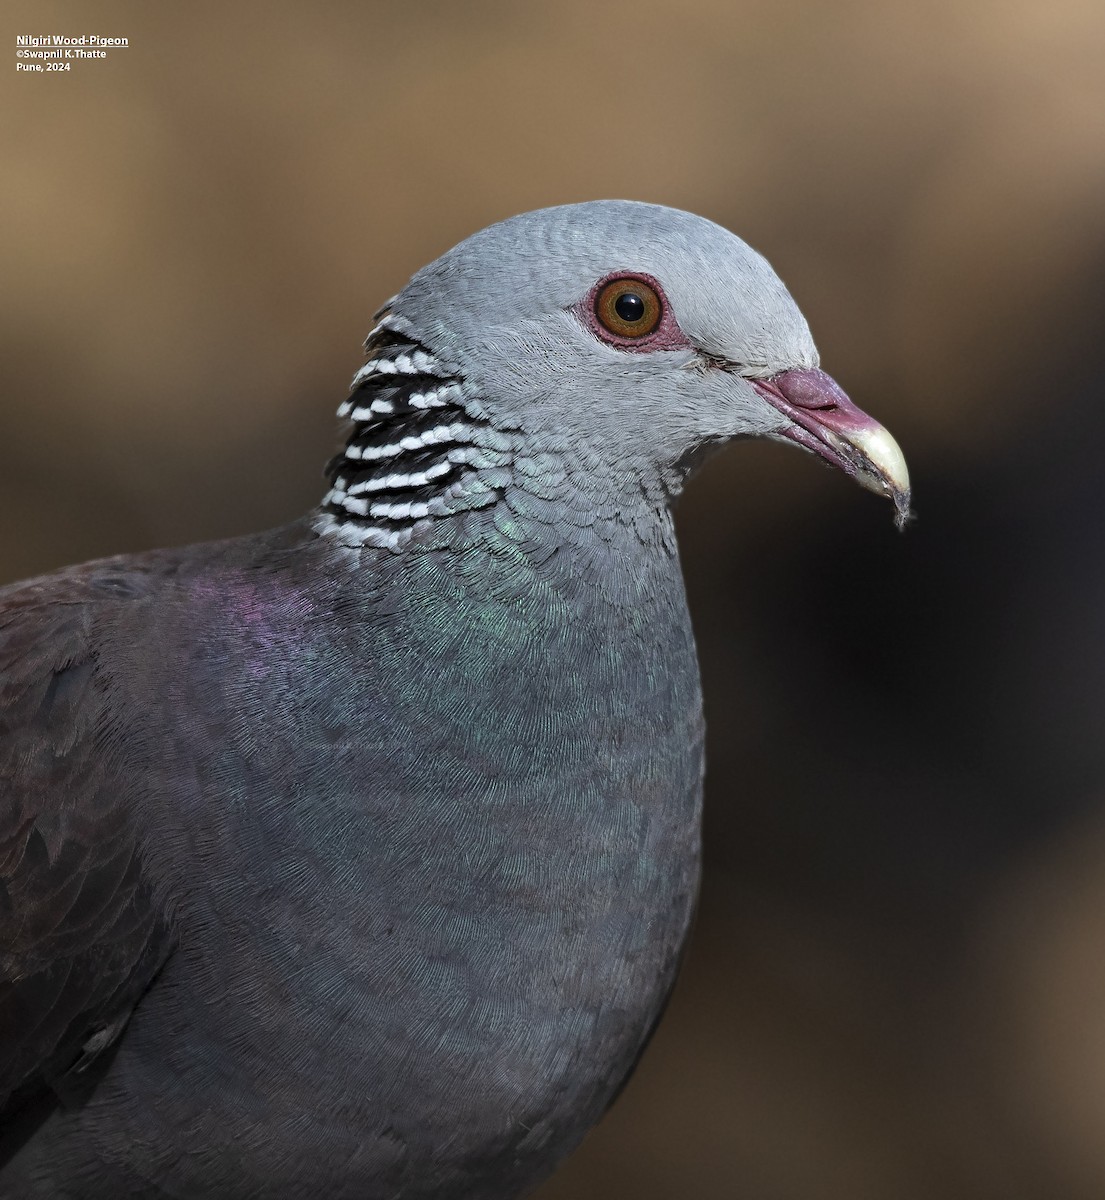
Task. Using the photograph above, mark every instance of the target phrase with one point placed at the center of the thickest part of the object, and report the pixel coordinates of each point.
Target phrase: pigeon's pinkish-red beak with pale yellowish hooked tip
(824, 419)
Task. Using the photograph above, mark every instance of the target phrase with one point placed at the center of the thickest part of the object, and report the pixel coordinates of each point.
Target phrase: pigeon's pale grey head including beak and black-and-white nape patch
(606, 344)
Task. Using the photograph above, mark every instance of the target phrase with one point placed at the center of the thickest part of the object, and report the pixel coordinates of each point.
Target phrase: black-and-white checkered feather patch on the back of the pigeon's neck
(416, 454)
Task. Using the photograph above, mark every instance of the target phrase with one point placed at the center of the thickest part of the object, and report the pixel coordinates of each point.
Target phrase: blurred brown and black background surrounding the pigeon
(897, 988)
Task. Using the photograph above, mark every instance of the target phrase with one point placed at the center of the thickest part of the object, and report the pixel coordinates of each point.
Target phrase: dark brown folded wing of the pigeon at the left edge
(80, 935)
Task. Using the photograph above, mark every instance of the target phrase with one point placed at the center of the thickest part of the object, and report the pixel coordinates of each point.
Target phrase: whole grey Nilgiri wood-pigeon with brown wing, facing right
(355, 860)
